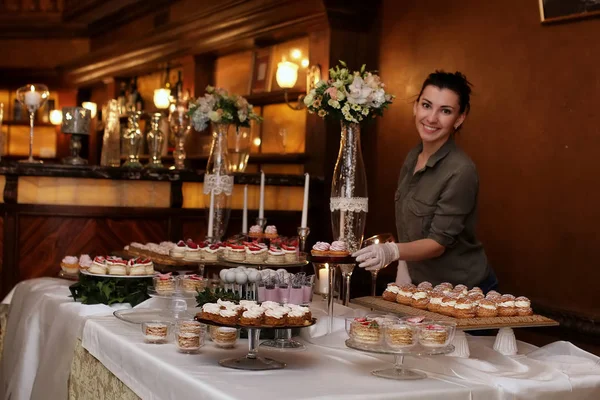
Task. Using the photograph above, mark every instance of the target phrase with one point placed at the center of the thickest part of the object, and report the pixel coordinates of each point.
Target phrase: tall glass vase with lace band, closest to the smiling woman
(349, 199)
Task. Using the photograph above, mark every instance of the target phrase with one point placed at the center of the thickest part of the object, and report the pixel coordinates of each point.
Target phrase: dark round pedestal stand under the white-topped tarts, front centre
(252, 361)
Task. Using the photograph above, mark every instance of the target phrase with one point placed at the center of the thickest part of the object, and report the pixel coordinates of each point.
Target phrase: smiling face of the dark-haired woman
(437, 114)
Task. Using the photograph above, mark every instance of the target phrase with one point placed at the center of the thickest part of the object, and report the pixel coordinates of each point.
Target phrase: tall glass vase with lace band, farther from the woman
(218, 183)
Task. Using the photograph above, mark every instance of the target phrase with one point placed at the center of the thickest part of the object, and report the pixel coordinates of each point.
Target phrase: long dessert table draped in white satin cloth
(55, 348)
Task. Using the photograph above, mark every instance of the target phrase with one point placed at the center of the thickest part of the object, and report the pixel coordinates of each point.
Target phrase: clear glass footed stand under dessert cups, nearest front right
(398, 372)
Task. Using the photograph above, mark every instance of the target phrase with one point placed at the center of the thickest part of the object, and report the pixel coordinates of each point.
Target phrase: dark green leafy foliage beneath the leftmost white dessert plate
(102, 290)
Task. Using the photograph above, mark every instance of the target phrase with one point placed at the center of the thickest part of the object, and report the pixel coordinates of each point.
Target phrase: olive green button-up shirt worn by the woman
(439, 202)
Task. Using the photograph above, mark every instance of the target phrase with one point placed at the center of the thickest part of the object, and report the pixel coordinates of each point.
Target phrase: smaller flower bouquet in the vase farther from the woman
(218, 106)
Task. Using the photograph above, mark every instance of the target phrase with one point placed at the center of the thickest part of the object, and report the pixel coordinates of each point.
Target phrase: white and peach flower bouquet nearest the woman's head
(349, 96)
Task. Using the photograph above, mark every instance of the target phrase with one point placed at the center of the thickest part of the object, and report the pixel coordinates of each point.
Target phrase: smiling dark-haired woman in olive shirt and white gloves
(436, 199)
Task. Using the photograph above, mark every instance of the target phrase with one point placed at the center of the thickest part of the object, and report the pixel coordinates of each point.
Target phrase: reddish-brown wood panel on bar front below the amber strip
(44, 241)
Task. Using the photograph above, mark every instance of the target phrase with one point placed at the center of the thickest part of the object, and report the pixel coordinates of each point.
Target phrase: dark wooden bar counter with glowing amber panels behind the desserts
(51, 211)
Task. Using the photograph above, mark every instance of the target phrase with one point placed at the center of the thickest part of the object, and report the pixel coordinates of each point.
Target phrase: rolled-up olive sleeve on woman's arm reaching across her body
(457, 200)
